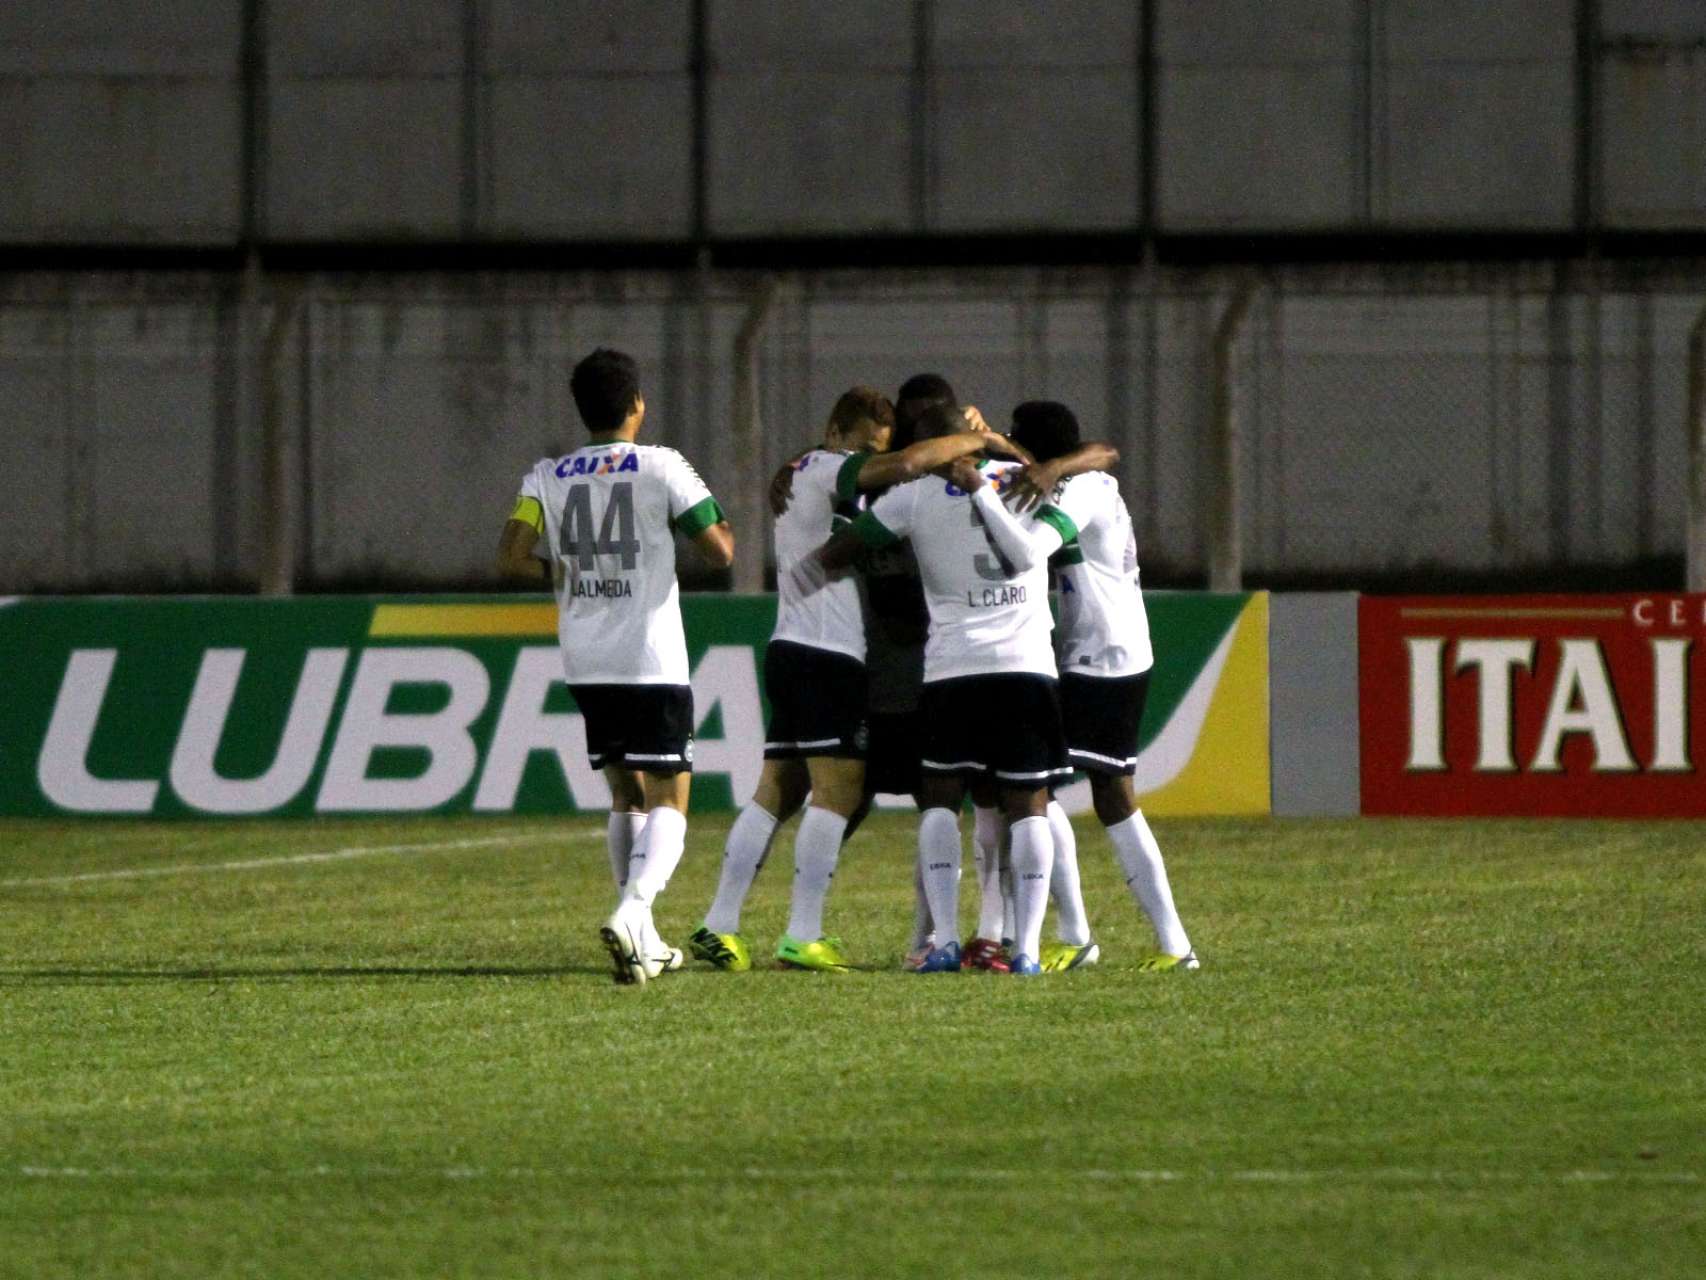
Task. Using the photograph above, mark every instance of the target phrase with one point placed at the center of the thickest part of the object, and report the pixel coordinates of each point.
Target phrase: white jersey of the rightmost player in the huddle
(1103, 627)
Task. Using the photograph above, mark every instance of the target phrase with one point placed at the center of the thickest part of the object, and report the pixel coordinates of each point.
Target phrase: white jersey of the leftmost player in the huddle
(825, 491)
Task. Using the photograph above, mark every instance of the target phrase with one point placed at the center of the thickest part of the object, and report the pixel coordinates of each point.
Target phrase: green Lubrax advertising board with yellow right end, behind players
(363, 706)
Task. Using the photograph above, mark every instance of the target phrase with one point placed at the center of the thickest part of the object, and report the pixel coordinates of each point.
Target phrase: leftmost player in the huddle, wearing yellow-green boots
(815, 678)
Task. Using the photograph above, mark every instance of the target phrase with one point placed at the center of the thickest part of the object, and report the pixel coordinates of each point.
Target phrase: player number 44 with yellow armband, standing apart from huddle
(608, 516)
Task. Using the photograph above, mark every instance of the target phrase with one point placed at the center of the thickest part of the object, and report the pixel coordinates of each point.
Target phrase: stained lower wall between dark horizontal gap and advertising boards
(182, 431)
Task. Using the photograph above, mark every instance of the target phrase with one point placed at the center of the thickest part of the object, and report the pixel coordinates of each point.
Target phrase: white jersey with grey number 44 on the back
(610, 513)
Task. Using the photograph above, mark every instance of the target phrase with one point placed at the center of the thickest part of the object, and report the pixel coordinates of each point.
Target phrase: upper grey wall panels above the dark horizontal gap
(206, 122)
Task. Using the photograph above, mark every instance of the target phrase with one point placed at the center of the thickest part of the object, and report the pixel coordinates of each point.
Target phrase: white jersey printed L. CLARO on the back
(984, 620)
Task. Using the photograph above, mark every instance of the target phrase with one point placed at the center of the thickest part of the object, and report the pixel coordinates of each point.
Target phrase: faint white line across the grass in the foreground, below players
(927, 1177)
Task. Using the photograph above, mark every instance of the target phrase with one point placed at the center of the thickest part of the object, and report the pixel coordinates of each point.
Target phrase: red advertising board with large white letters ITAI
(1586, 706)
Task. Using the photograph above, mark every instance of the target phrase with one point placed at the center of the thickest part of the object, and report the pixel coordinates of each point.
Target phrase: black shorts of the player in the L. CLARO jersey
(1004, 728)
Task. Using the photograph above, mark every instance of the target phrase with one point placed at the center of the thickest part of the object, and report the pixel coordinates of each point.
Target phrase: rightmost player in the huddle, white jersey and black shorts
(1105, 653)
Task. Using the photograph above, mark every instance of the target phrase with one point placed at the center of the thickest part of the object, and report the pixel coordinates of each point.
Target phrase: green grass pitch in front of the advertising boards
(1415, 1050)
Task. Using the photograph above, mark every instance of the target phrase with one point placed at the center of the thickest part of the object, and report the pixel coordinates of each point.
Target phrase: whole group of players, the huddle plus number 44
(915, 653)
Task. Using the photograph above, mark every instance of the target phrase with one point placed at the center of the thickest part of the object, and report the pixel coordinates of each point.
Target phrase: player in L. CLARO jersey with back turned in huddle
(990, 702)
